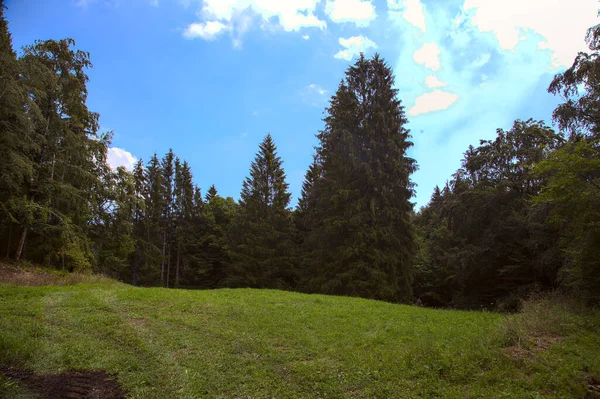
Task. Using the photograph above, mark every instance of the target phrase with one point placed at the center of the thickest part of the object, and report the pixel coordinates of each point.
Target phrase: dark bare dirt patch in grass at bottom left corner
(68, 385)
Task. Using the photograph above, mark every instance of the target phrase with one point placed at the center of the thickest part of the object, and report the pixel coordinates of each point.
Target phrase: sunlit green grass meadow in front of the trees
(166, 343)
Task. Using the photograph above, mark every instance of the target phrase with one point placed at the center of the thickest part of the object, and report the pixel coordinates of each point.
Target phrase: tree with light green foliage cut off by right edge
(573, 171)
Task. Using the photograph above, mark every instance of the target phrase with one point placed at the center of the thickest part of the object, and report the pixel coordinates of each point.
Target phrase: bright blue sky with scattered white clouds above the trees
(210, 78)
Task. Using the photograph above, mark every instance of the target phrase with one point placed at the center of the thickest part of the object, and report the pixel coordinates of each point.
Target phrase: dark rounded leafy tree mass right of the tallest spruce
(483, 241)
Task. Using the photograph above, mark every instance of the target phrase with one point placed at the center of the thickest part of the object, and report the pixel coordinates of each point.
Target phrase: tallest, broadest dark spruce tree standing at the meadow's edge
(361, 238)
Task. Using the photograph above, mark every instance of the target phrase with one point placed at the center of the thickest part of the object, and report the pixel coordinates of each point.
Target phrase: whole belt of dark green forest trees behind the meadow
(520, 216)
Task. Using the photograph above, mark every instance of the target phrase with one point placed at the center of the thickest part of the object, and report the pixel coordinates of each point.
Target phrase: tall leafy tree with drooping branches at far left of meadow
(69, 157)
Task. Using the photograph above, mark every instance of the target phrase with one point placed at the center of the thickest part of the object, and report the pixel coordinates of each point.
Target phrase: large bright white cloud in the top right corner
(561, 25)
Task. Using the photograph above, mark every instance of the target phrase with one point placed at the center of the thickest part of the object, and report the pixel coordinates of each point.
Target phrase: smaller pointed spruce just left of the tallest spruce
(262, 249)
